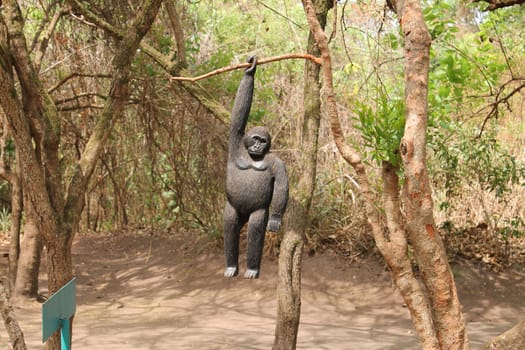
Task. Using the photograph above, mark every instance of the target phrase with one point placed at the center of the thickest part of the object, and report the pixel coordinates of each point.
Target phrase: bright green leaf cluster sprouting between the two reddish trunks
(382, 124)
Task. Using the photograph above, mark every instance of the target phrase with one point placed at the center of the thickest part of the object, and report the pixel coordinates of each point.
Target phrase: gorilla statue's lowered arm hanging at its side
(280, 195)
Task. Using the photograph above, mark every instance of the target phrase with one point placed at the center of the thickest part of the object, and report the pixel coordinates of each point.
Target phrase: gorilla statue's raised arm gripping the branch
(241, 109)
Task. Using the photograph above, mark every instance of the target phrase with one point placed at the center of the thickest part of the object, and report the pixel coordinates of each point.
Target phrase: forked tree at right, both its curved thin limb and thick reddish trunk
(448, 328)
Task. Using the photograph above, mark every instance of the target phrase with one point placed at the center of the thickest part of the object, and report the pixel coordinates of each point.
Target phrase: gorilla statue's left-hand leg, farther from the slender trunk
(232, 228)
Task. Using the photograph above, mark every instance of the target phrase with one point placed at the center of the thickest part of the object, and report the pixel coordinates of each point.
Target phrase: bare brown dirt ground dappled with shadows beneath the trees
(137, 290)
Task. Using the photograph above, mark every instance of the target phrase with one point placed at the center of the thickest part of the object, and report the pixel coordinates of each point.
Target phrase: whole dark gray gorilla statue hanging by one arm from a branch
(256, 184)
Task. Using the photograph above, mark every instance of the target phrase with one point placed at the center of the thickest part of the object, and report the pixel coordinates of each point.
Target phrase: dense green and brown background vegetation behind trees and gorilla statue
(164, 165)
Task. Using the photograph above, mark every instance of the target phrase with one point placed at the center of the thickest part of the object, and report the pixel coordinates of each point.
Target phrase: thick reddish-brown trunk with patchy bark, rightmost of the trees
(428, 248)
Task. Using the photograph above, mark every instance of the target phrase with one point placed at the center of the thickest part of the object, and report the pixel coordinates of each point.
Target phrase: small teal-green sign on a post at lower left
(57, 312)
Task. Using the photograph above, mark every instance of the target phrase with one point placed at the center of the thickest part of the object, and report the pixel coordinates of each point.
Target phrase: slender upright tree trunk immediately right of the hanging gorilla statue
(291, 249)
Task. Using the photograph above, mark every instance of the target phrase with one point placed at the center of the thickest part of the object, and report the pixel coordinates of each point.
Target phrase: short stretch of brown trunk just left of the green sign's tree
(26, 285)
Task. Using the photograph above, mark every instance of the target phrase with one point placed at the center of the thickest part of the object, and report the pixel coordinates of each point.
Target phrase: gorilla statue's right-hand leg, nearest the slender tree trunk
(256, 231)
